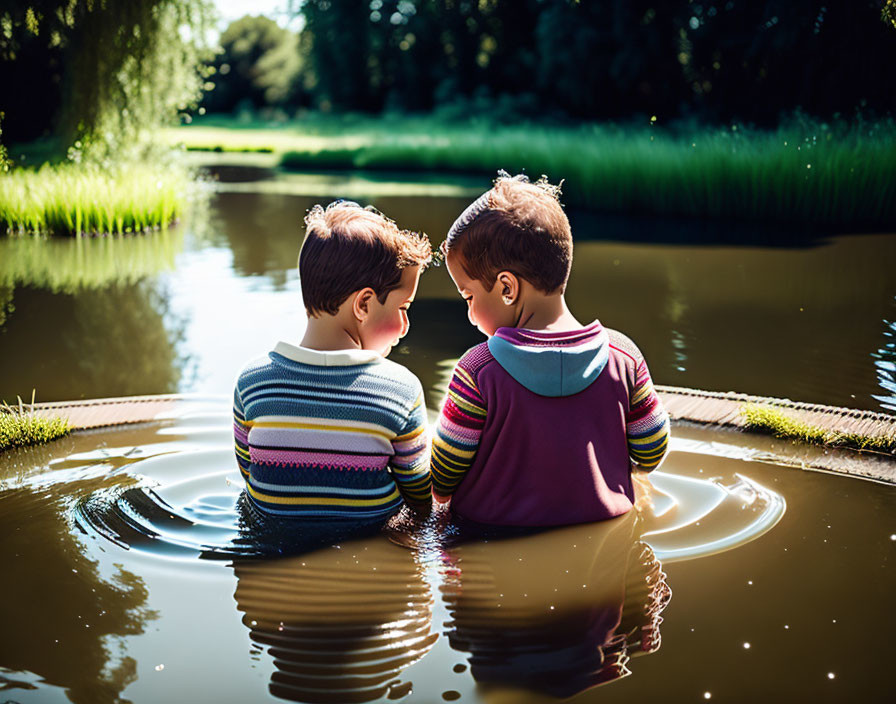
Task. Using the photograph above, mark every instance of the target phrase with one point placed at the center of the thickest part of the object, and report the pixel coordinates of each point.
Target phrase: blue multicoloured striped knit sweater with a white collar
(331, 435)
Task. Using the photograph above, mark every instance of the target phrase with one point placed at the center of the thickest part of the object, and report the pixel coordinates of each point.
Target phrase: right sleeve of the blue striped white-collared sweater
(410, 461)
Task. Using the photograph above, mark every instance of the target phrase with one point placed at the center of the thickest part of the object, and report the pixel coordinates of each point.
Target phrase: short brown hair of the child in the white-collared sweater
(348, 248)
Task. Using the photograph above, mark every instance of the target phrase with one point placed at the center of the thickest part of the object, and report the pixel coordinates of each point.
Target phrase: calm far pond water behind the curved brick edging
(809, 316)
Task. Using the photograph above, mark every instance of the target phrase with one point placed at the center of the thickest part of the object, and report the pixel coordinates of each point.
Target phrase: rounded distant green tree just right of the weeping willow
(260, 64)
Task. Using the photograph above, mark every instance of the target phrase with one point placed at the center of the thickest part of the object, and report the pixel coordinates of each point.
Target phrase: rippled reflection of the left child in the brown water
(341, 623)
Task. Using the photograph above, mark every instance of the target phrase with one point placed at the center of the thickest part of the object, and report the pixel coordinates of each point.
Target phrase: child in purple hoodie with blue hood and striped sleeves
(544, 422)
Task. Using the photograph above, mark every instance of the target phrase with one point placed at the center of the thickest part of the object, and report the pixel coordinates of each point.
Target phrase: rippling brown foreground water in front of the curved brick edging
(128, 576)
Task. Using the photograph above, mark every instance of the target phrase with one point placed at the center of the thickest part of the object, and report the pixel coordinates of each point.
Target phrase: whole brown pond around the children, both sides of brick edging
(134, 573)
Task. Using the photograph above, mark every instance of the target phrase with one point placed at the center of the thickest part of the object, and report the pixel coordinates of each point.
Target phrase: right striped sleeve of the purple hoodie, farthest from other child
(646, 423)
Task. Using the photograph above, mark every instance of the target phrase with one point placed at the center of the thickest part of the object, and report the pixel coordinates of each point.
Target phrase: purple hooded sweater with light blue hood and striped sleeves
(543, 428)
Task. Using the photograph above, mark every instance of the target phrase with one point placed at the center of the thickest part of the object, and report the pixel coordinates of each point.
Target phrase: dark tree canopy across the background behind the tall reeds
(705, 59)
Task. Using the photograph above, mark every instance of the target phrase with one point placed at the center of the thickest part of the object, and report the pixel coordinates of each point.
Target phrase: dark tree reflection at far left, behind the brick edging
(116, 340)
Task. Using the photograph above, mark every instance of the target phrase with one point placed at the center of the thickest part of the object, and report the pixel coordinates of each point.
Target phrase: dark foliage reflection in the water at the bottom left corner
(62, 620)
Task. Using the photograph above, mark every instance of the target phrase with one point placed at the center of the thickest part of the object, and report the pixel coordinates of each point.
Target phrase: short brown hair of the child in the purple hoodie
(517, 226)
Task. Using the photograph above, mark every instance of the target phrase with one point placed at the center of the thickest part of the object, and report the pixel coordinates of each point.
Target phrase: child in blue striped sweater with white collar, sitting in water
(330, 430)
